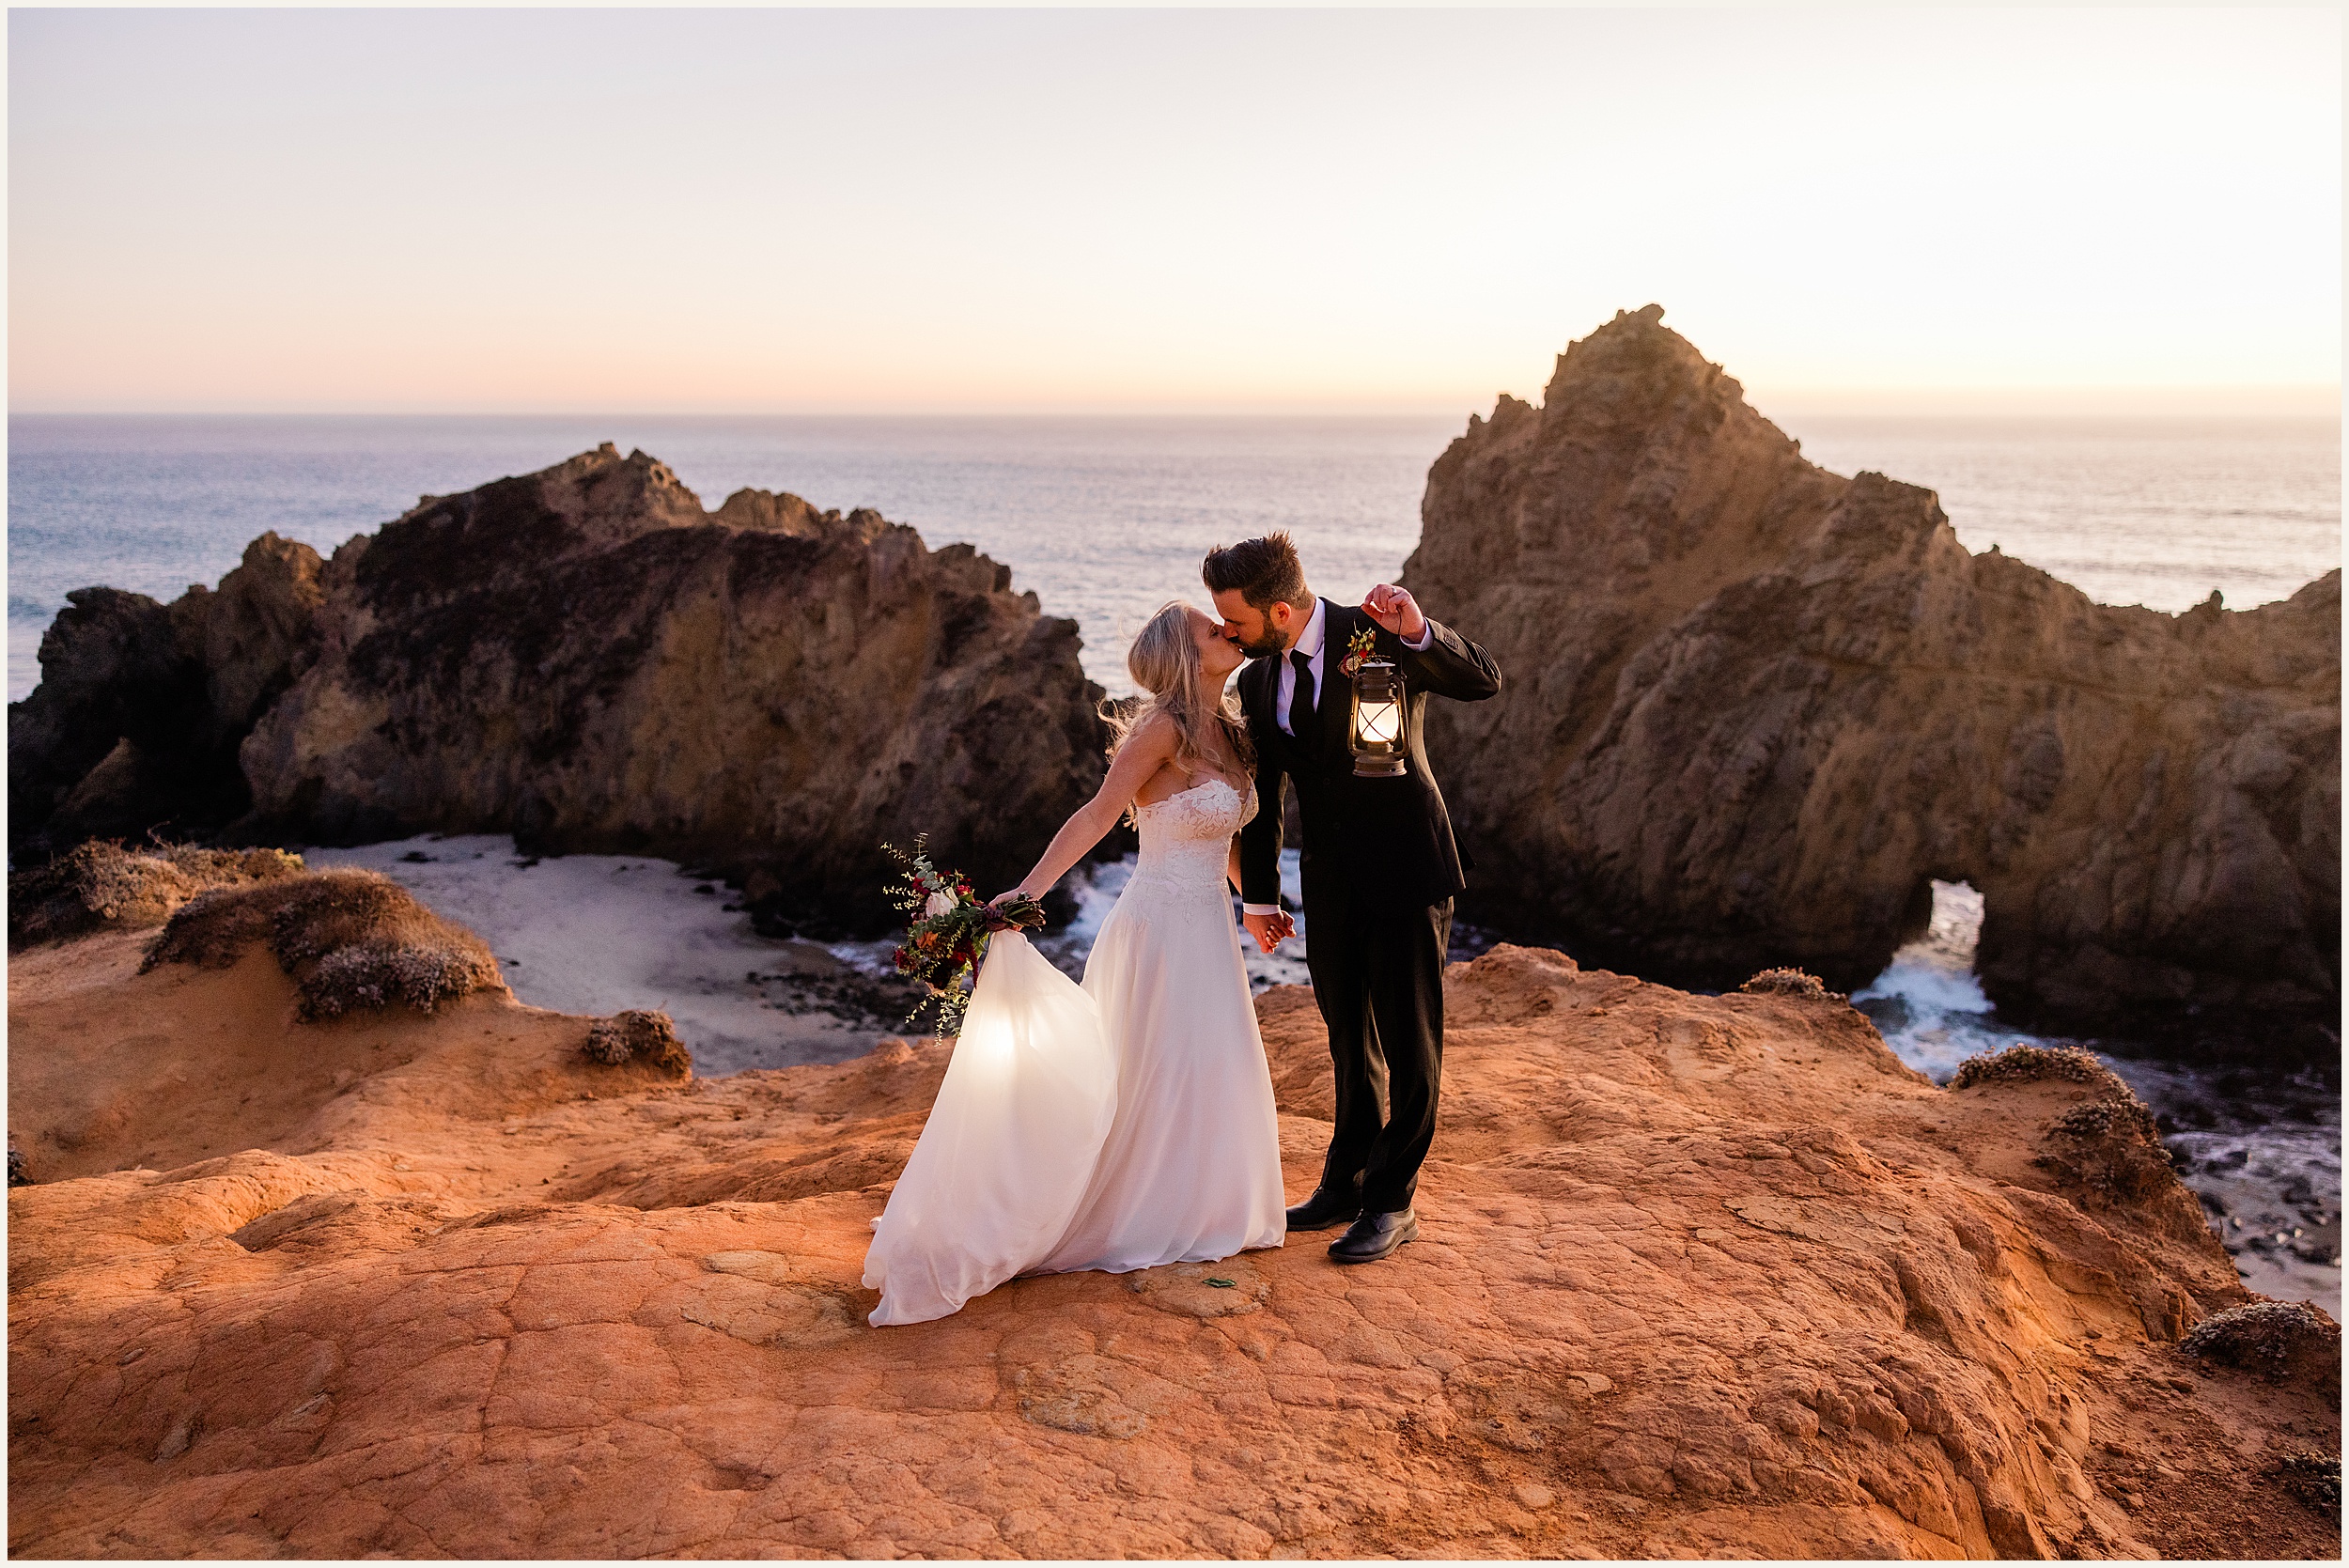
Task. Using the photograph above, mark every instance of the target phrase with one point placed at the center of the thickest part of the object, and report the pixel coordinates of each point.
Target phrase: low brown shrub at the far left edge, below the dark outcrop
(107, 886)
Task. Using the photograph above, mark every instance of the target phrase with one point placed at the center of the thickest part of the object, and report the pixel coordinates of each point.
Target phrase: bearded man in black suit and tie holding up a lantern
(1380, 865)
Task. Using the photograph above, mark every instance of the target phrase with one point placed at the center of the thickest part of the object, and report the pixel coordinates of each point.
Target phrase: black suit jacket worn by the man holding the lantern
(1380, 844)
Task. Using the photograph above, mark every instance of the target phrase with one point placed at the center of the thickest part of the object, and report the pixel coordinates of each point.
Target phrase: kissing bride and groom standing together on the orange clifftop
(1129, 1123)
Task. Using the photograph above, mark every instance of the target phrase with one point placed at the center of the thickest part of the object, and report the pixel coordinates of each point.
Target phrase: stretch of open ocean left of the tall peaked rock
(1105, 520)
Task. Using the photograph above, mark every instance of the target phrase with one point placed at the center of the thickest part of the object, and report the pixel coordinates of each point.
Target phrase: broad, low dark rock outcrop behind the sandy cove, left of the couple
(595, 663)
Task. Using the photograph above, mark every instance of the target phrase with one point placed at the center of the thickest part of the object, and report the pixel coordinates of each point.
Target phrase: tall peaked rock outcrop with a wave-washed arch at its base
(1758, 708)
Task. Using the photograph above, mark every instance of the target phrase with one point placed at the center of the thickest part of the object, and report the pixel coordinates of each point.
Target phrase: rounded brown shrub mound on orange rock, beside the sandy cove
(351, 940)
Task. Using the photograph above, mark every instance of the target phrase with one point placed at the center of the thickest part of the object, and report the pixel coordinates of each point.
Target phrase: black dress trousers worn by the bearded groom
(1380, 982)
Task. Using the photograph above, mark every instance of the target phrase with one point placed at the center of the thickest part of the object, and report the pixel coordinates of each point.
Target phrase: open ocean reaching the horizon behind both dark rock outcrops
(1110, 518)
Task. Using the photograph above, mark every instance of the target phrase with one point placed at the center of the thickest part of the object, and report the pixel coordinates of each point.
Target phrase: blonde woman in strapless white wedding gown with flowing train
(1126, 1123)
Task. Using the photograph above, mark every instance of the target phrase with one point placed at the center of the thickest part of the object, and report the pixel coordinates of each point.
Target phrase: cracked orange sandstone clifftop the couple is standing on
(1700, 1278)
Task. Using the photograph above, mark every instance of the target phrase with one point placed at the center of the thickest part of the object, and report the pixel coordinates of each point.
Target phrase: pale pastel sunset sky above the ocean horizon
(1185, 210)
